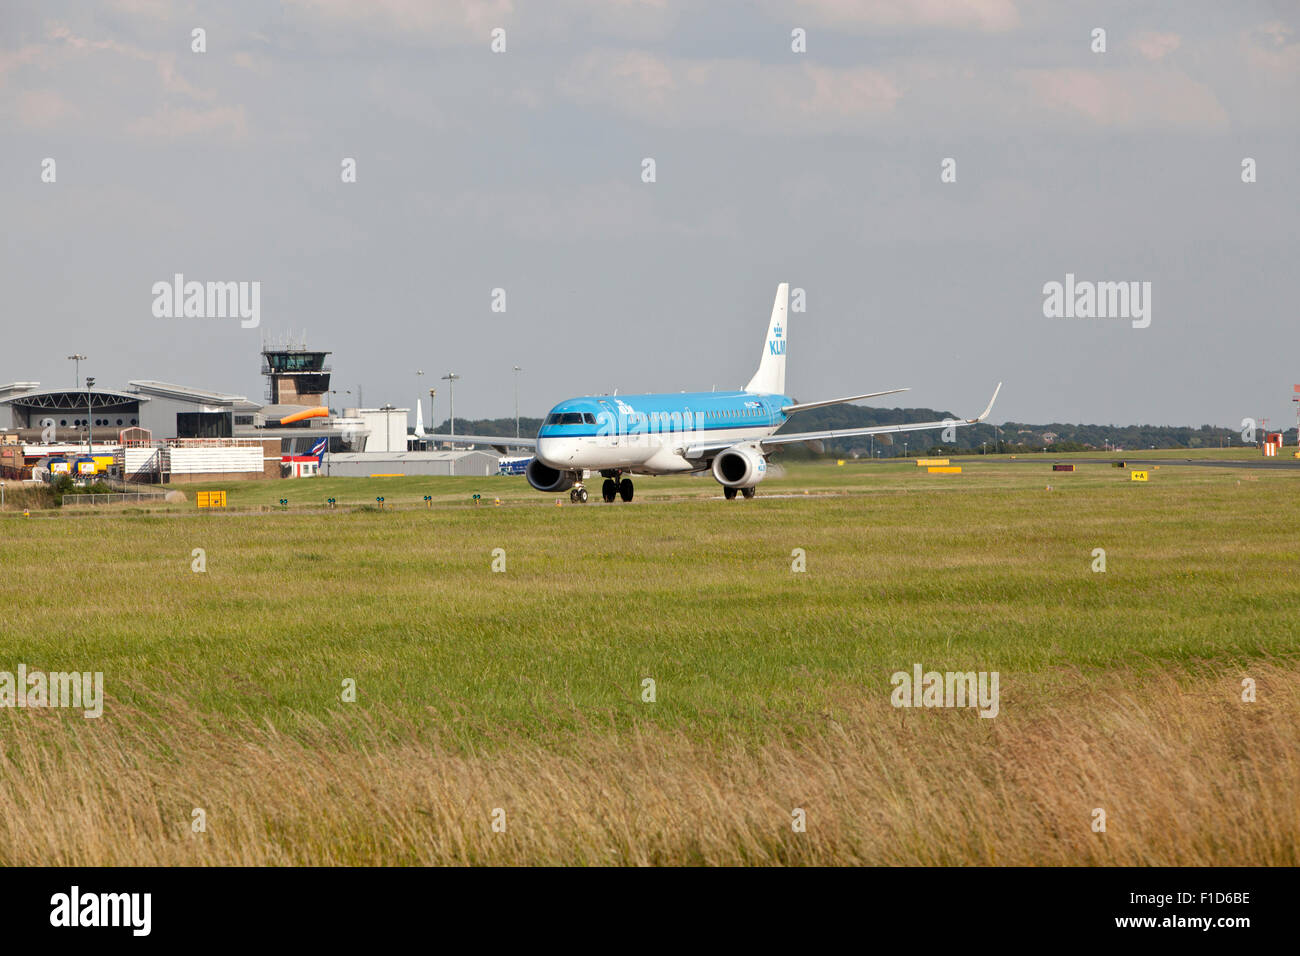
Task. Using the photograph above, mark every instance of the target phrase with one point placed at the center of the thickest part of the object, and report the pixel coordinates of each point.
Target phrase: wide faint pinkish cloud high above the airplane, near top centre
(730, 93)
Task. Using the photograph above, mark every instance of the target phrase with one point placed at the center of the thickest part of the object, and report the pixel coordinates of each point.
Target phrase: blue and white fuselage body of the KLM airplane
(648, 434)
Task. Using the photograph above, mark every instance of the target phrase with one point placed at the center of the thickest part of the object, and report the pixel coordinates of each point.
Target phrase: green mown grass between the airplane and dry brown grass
(987, 570)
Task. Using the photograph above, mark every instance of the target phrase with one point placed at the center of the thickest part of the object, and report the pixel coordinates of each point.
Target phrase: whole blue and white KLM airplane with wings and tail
(729, 434)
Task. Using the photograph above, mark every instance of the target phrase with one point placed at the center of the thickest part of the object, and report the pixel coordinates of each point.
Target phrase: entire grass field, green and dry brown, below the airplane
(523, 690)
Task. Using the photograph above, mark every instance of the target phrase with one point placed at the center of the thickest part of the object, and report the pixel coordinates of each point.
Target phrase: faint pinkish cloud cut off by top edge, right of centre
(986, 16)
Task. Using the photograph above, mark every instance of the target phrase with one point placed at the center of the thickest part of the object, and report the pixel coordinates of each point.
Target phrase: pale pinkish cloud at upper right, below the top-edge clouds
(1126, 100)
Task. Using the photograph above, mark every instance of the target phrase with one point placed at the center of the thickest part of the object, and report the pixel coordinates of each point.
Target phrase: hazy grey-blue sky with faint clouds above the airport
(523, 170)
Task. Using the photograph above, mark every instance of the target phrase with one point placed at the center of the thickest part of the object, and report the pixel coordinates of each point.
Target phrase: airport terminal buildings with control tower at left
(162, 432)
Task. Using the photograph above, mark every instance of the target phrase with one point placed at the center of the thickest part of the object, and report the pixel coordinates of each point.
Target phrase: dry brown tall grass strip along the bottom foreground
(1186, 773)
